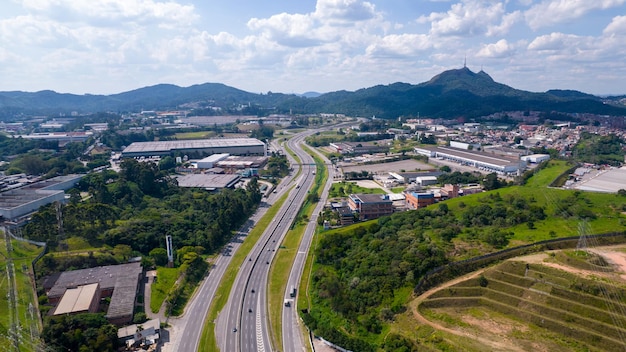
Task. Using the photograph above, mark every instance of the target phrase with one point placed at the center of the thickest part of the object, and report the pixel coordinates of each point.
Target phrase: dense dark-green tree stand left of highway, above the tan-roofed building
(142, 204)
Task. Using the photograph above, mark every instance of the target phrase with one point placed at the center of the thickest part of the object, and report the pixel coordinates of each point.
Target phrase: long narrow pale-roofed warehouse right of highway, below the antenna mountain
(479, 160)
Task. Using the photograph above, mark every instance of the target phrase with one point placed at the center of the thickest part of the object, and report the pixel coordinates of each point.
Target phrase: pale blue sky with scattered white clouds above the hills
(297, 46)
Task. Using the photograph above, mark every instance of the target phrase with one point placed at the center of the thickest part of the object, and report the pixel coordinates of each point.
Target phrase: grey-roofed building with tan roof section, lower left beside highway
(120, 282)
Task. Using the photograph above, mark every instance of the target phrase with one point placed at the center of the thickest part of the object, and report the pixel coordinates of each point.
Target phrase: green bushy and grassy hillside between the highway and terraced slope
(364, 274)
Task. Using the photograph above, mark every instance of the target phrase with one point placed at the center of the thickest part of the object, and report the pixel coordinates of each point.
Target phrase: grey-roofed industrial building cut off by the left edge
(18, 202)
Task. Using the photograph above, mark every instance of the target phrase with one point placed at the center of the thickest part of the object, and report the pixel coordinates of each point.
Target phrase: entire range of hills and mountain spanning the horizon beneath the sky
(450, 94)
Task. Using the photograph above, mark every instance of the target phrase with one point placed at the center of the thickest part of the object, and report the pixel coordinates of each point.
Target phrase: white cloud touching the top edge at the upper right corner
(550, 12)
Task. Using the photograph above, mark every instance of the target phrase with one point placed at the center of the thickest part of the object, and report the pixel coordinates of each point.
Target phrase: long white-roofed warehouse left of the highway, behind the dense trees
(234, 146)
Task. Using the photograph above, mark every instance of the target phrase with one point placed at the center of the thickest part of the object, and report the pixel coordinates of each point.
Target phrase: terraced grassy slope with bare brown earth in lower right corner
(558, 301)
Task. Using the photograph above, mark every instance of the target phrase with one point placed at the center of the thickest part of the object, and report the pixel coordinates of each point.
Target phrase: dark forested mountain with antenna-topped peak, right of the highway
(455, 93)
